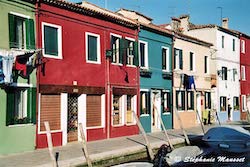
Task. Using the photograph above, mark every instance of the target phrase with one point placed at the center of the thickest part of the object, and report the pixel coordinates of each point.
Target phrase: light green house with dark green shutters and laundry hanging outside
(17, 76)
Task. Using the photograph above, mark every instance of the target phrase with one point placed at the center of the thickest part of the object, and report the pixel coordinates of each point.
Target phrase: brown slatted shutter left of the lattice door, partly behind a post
(50, 111)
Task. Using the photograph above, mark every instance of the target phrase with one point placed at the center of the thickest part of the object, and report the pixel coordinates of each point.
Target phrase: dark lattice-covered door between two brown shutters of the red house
(72, 127)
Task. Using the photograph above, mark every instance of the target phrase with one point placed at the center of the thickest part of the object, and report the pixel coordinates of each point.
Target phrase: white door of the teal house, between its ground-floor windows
(156, 110)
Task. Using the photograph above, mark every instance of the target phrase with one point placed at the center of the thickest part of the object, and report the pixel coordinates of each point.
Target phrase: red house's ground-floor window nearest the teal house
(131, 103)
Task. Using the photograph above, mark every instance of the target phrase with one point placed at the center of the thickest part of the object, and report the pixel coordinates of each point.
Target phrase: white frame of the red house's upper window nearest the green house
(59, 36)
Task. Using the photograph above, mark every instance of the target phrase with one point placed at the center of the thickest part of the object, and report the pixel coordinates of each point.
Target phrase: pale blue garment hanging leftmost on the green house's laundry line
(7, 68)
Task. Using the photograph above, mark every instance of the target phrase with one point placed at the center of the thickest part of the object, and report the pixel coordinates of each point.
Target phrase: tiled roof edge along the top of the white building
(194, 27)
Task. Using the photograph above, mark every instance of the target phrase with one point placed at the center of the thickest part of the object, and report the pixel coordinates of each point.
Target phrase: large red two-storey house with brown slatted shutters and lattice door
(89, 73)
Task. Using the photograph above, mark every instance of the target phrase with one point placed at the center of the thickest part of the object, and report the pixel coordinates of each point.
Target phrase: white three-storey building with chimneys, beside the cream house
(226, 63)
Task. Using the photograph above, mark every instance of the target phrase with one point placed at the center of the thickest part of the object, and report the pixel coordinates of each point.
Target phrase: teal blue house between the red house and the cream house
(155, 60)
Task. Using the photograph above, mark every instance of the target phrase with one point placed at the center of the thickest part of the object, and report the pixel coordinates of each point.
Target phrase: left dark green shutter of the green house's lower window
(10, 108)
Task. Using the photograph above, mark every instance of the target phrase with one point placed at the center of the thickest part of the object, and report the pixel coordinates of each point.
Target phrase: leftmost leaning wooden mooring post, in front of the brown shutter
(50, 145)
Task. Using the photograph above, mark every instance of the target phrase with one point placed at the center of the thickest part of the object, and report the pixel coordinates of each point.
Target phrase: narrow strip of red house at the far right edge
(245, 74)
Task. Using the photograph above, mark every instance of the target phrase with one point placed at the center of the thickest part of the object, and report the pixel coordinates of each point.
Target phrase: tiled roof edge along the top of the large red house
(92, 10)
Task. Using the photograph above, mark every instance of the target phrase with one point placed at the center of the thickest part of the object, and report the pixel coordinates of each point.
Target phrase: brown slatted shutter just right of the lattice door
(94, 113)
